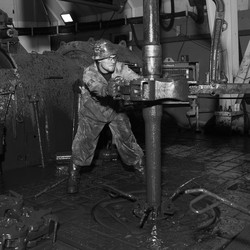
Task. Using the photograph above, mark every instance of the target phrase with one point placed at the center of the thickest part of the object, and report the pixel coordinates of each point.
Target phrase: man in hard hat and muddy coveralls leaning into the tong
(99, 108)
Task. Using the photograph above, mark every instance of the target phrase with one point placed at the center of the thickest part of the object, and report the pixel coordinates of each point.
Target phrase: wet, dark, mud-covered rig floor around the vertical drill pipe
(98, 219)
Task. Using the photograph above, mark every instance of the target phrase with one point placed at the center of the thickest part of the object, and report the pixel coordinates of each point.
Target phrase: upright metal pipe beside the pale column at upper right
(214, 55)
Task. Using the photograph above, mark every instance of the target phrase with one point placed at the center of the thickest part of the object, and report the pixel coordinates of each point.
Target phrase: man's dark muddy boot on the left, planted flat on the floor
(74, 179)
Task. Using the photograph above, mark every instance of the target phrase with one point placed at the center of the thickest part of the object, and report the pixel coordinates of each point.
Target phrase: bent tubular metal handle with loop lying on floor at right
(206, 193)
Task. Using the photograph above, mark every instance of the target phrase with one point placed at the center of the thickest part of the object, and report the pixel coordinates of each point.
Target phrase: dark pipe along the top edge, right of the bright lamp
(114, 7)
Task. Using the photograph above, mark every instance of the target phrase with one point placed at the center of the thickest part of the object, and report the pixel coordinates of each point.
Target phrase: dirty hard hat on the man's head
(103, 49)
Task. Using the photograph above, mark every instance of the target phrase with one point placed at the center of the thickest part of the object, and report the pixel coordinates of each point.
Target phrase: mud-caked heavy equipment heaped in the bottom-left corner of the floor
(23, 227)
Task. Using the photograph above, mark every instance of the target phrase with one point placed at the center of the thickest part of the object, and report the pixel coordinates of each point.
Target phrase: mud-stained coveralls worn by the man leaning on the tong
(97, 110)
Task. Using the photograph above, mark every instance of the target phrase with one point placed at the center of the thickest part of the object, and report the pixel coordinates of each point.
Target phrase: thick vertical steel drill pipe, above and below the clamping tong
(152, 61)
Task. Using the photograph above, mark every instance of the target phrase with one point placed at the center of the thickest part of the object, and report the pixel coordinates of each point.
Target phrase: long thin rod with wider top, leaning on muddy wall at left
(34, 100)
